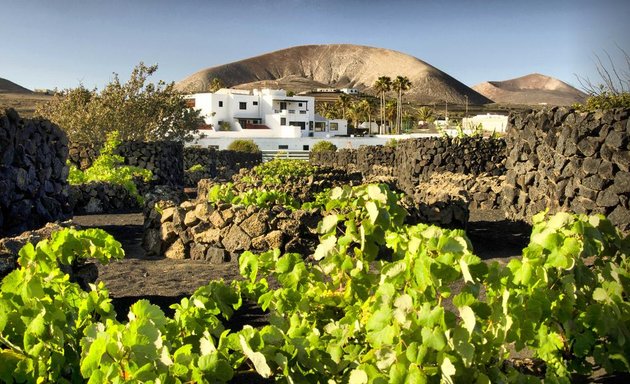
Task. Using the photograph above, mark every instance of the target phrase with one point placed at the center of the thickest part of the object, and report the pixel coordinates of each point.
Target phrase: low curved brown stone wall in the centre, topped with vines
(206, 231)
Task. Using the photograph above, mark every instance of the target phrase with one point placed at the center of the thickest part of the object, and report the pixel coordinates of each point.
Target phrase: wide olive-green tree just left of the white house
(136, 109)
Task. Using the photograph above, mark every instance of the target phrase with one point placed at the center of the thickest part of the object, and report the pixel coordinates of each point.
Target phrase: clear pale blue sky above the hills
(64, 43)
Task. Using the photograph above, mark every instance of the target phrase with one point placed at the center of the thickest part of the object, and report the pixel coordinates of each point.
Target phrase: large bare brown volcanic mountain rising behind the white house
(310, 67)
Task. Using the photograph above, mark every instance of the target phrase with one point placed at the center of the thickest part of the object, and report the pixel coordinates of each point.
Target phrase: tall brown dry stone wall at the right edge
(562, 159)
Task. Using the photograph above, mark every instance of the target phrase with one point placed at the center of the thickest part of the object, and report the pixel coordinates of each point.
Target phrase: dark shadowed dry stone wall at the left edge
(33, 173)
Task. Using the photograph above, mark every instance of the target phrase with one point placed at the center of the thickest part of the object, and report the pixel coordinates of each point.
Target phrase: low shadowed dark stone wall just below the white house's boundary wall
(216, 164)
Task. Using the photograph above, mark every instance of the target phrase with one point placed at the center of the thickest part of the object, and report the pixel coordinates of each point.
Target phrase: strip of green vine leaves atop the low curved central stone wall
(225, 193)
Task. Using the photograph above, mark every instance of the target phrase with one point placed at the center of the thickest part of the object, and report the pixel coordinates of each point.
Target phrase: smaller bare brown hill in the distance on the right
(532, 89)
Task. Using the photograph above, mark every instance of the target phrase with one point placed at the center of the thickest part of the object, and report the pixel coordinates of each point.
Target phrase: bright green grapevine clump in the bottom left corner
(43, 315)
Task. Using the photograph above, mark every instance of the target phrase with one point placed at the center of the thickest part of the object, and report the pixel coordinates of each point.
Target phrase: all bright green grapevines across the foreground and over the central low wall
(379, 301)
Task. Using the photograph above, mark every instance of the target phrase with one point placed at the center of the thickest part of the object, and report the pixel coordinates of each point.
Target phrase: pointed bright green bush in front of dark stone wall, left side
(109, 168)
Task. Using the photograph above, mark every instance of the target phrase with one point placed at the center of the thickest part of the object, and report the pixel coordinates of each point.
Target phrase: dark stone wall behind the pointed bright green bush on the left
(164, 158)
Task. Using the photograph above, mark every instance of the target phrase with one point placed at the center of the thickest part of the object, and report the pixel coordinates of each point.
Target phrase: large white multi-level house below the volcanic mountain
(243, 114)
